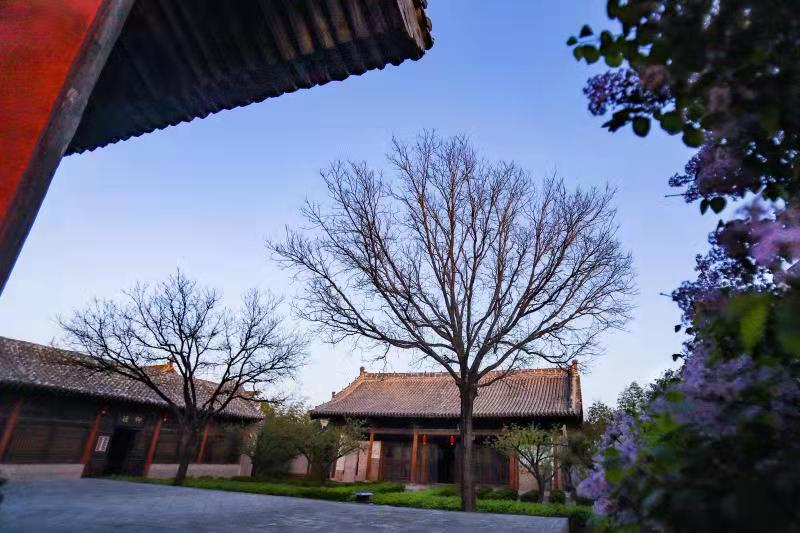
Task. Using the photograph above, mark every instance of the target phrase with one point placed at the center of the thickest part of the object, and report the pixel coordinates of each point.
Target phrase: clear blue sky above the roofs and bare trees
(205, 195)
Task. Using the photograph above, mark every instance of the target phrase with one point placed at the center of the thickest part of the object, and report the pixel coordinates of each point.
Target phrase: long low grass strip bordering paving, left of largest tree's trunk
(330, 492)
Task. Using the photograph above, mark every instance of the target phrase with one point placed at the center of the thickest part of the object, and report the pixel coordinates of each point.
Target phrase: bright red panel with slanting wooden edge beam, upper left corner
(51, 55)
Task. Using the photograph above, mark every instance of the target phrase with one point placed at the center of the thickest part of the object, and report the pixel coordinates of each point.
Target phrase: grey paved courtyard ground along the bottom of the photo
(94, 505)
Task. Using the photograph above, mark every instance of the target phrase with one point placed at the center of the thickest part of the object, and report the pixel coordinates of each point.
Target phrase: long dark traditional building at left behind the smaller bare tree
(61, 420)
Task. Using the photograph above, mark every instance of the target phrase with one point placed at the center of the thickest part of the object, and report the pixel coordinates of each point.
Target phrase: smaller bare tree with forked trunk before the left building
(183, 326)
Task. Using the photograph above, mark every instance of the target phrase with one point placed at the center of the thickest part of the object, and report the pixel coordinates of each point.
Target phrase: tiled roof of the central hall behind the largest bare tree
(552, 392)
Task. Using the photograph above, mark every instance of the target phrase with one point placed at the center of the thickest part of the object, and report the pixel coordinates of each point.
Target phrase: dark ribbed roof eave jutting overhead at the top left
(177, 61)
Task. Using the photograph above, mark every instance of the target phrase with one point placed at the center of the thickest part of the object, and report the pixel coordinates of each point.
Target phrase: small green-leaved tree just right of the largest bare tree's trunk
(535, 449)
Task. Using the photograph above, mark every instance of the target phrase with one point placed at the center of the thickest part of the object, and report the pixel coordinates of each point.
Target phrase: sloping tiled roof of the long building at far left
(28, 365)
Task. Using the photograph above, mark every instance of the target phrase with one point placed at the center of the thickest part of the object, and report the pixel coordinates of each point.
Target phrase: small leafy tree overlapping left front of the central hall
(322, 444)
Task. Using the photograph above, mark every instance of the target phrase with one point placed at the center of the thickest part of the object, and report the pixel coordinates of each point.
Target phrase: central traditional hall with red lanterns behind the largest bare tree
(413, 423)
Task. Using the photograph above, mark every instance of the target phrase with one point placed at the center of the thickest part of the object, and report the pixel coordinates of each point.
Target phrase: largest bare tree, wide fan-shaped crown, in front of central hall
(467, 263)
